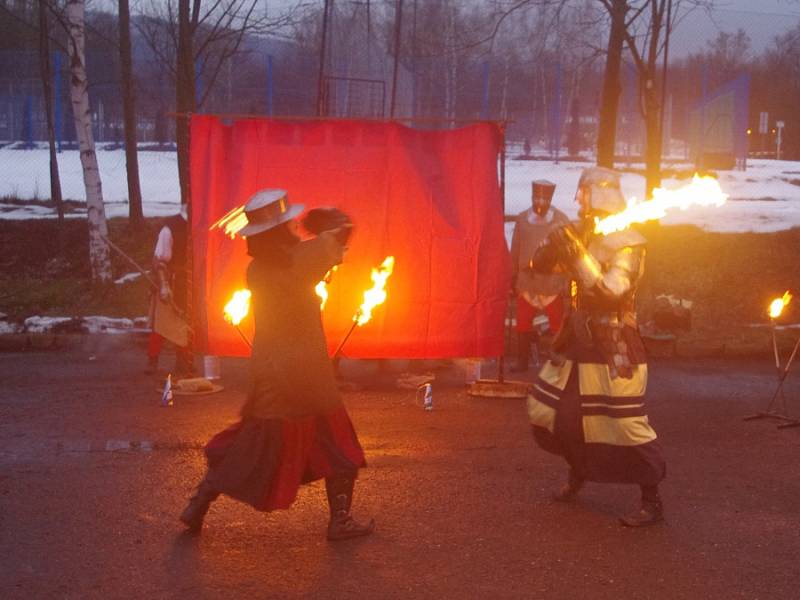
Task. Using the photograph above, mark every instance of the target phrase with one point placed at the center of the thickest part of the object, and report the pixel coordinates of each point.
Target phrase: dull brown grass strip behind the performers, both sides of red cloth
(730, 277)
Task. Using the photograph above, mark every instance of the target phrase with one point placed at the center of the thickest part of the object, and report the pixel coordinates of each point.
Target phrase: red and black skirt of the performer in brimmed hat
(264, 461)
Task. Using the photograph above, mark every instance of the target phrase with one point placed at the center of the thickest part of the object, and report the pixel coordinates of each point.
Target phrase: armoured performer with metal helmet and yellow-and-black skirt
(587, 404)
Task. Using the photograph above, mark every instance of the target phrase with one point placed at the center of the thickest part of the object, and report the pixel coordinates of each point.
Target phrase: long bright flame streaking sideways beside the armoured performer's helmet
(702, 191)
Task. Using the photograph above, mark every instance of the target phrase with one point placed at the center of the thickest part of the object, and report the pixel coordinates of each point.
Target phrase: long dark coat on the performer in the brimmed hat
(291, 373)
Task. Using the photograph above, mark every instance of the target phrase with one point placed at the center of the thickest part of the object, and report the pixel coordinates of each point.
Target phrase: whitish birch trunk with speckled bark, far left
(98, 249)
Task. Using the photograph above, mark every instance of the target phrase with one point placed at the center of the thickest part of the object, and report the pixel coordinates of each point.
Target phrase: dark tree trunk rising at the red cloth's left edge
(184, 97)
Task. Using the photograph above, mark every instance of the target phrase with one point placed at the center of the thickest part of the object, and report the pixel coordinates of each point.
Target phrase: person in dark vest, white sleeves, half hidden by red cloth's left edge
(169, 264)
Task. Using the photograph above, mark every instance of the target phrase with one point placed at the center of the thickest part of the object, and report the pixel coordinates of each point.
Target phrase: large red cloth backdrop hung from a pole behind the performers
(430, 198)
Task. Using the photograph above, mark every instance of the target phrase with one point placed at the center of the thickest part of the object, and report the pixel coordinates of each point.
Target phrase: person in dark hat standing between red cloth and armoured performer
(535, 291)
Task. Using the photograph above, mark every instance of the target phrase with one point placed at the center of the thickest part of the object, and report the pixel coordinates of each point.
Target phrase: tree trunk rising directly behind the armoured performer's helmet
(609, 102)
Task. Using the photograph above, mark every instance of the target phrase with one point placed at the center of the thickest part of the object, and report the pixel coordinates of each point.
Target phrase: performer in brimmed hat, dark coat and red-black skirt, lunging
(294, 428)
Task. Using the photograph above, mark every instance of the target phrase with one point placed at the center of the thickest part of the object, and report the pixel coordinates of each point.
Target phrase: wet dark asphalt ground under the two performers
(93, 473)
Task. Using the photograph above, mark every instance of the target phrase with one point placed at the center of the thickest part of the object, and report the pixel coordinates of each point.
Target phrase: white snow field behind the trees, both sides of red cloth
(761, 198)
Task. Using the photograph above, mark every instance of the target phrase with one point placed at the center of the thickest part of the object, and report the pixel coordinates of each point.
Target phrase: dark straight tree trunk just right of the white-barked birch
(135, 214)
